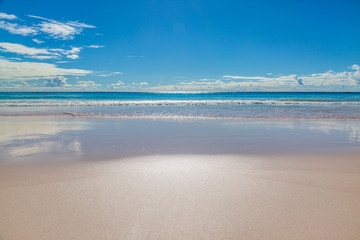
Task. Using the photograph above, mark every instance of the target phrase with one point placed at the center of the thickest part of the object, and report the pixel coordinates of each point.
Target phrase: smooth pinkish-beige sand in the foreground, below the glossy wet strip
(184, 197)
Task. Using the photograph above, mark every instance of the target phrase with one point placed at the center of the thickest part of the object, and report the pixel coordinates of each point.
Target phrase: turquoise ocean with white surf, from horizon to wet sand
(229, 105)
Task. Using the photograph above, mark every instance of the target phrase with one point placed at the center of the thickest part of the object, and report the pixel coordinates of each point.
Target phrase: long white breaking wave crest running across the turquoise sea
(66, 103)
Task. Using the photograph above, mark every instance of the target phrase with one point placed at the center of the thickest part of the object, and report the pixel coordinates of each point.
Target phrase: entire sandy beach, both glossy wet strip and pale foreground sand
(294, 193)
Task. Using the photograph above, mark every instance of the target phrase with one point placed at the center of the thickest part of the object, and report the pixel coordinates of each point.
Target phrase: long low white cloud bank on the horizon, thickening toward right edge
(329, 81)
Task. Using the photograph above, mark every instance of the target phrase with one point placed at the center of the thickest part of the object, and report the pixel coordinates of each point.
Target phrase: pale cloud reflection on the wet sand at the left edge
(45, 138)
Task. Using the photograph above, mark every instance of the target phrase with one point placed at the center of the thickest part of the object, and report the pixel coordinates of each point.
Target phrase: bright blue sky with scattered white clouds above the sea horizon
(179, 45)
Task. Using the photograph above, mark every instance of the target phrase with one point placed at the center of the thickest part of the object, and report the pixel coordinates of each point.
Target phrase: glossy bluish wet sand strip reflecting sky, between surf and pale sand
(34, 139)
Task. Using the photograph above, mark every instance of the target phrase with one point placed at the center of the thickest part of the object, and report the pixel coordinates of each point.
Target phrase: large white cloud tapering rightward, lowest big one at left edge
(19, 71)
